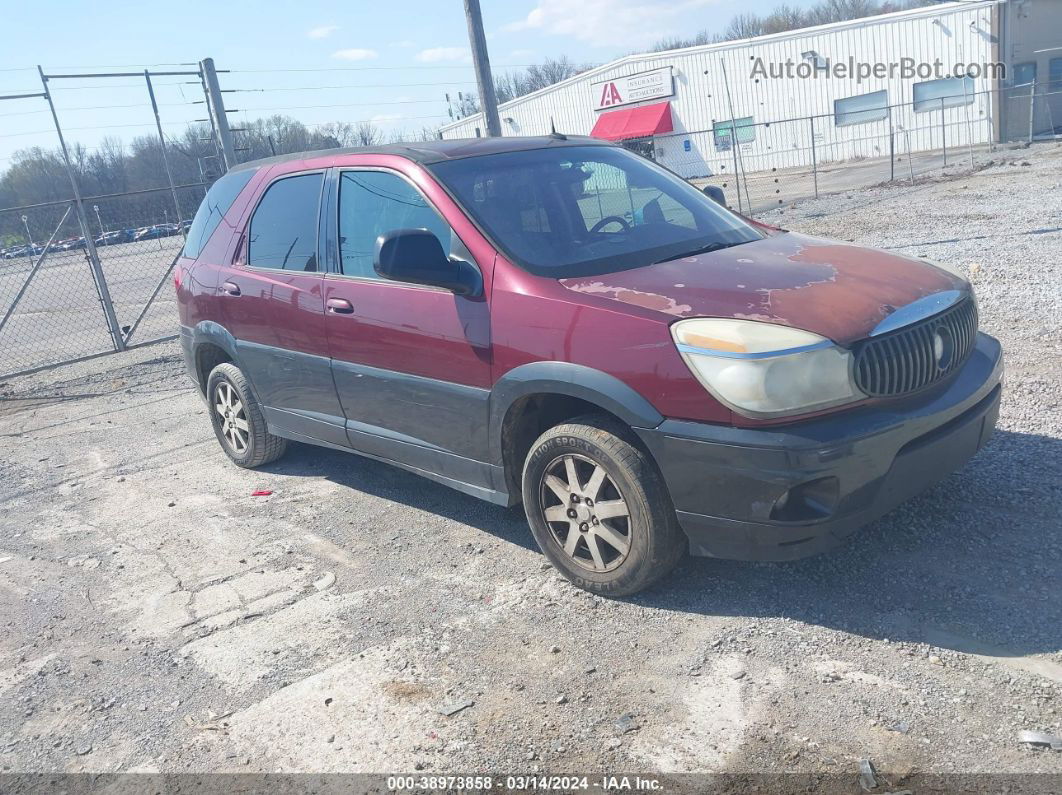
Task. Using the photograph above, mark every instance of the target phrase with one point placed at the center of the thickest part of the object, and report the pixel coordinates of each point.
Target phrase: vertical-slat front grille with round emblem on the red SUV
(917, 356)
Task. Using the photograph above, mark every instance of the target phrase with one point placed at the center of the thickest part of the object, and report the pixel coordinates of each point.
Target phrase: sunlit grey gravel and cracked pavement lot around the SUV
(158, 617)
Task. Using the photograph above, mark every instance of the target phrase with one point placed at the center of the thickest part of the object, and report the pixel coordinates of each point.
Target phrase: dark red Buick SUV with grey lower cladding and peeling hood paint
(560, 322)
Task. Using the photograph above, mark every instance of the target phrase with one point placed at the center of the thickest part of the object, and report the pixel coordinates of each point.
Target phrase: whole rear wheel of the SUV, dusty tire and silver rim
(228, 387)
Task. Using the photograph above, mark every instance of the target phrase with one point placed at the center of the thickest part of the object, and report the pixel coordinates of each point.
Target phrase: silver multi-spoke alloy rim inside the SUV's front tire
(586, 513)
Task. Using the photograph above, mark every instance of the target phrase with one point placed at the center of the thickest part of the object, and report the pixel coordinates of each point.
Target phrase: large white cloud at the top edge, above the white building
(610, 23)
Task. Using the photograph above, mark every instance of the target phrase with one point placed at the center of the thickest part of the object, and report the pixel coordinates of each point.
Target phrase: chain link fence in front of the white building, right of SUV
(763, 166)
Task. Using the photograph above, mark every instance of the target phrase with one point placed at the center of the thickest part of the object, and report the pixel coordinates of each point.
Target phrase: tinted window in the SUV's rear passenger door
(284, 230)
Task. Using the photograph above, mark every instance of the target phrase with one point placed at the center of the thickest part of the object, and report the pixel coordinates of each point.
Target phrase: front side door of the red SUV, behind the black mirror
(412, 364)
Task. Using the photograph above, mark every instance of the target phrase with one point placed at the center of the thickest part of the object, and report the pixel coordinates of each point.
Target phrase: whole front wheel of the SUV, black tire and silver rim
(637, 544)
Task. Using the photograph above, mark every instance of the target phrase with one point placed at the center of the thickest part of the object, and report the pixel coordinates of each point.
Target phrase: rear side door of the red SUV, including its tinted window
(273, 305)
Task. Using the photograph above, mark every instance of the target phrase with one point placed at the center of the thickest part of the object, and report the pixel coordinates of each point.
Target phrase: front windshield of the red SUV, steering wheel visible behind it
(569, 212)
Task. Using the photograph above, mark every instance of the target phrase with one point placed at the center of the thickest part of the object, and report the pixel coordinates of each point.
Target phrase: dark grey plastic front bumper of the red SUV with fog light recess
(837, 473)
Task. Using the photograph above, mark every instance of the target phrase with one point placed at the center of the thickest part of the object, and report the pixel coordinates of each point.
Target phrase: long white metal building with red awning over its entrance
(688, 108)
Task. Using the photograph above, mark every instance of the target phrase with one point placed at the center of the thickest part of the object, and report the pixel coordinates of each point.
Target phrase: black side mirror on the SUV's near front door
(418, 257)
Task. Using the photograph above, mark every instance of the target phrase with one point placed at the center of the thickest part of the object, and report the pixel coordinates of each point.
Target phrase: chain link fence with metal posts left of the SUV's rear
(59, 305)
